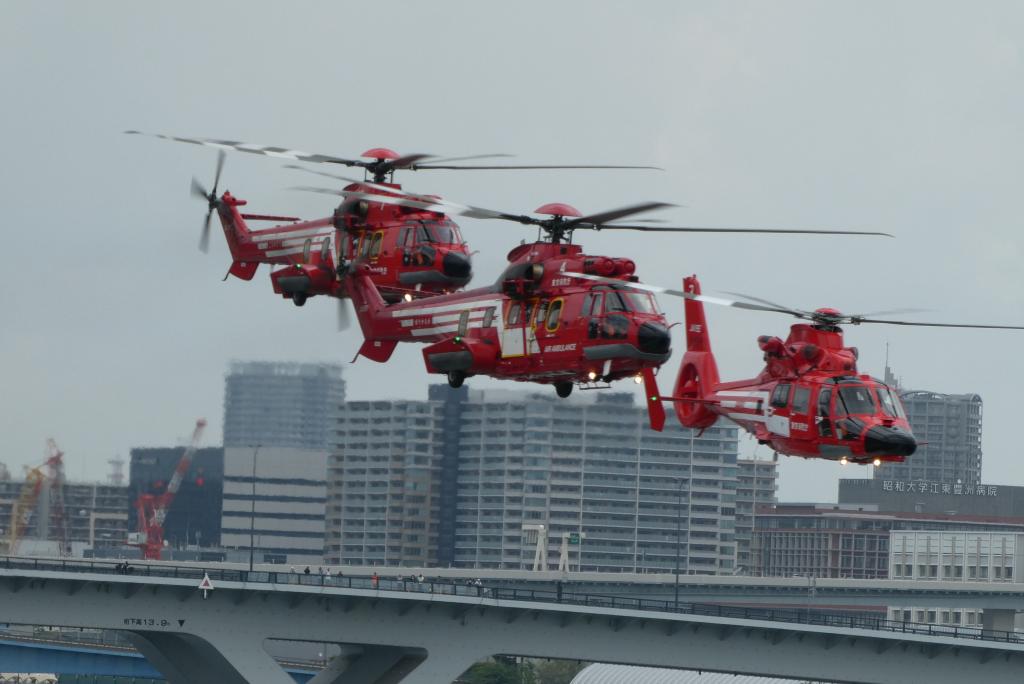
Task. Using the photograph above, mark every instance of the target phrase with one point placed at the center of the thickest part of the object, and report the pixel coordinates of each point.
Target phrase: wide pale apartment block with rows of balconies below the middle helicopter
(474, 481)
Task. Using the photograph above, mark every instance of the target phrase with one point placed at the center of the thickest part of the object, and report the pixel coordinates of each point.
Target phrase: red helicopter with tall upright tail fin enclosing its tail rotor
(809, 401)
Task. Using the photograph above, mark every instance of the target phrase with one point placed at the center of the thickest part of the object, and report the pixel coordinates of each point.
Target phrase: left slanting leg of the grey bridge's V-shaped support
(184, 659)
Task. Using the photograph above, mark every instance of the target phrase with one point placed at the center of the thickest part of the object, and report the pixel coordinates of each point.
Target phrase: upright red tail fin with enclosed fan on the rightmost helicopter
(699, 372)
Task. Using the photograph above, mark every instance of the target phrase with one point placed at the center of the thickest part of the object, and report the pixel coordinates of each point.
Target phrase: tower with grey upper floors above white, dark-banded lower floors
(278, 421)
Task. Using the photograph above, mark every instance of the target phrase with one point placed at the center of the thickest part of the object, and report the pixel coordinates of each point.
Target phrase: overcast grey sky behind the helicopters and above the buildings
(899, 117)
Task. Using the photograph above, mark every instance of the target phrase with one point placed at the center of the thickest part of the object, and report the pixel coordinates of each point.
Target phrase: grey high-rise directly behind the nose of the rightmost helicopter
(951, 427)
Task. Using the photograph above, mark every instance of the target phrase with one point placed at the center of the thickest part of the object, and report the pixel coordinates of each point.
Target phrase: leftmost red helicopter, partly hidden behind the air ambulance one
(405, 250)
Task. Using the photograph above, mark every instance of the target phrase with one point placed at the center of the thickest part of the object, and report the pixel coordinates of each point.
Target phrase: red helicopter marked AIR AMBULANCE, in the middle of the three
(536, 324)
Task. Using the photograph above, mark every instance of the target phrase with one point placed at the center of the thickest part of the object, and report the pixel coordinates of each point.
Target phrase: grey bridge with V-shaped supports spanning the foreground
(430, 633)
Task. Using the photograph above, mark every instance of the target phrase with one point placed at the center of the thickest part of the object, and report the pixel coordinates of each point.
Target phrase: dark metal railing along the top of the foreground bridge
(422, 585)
